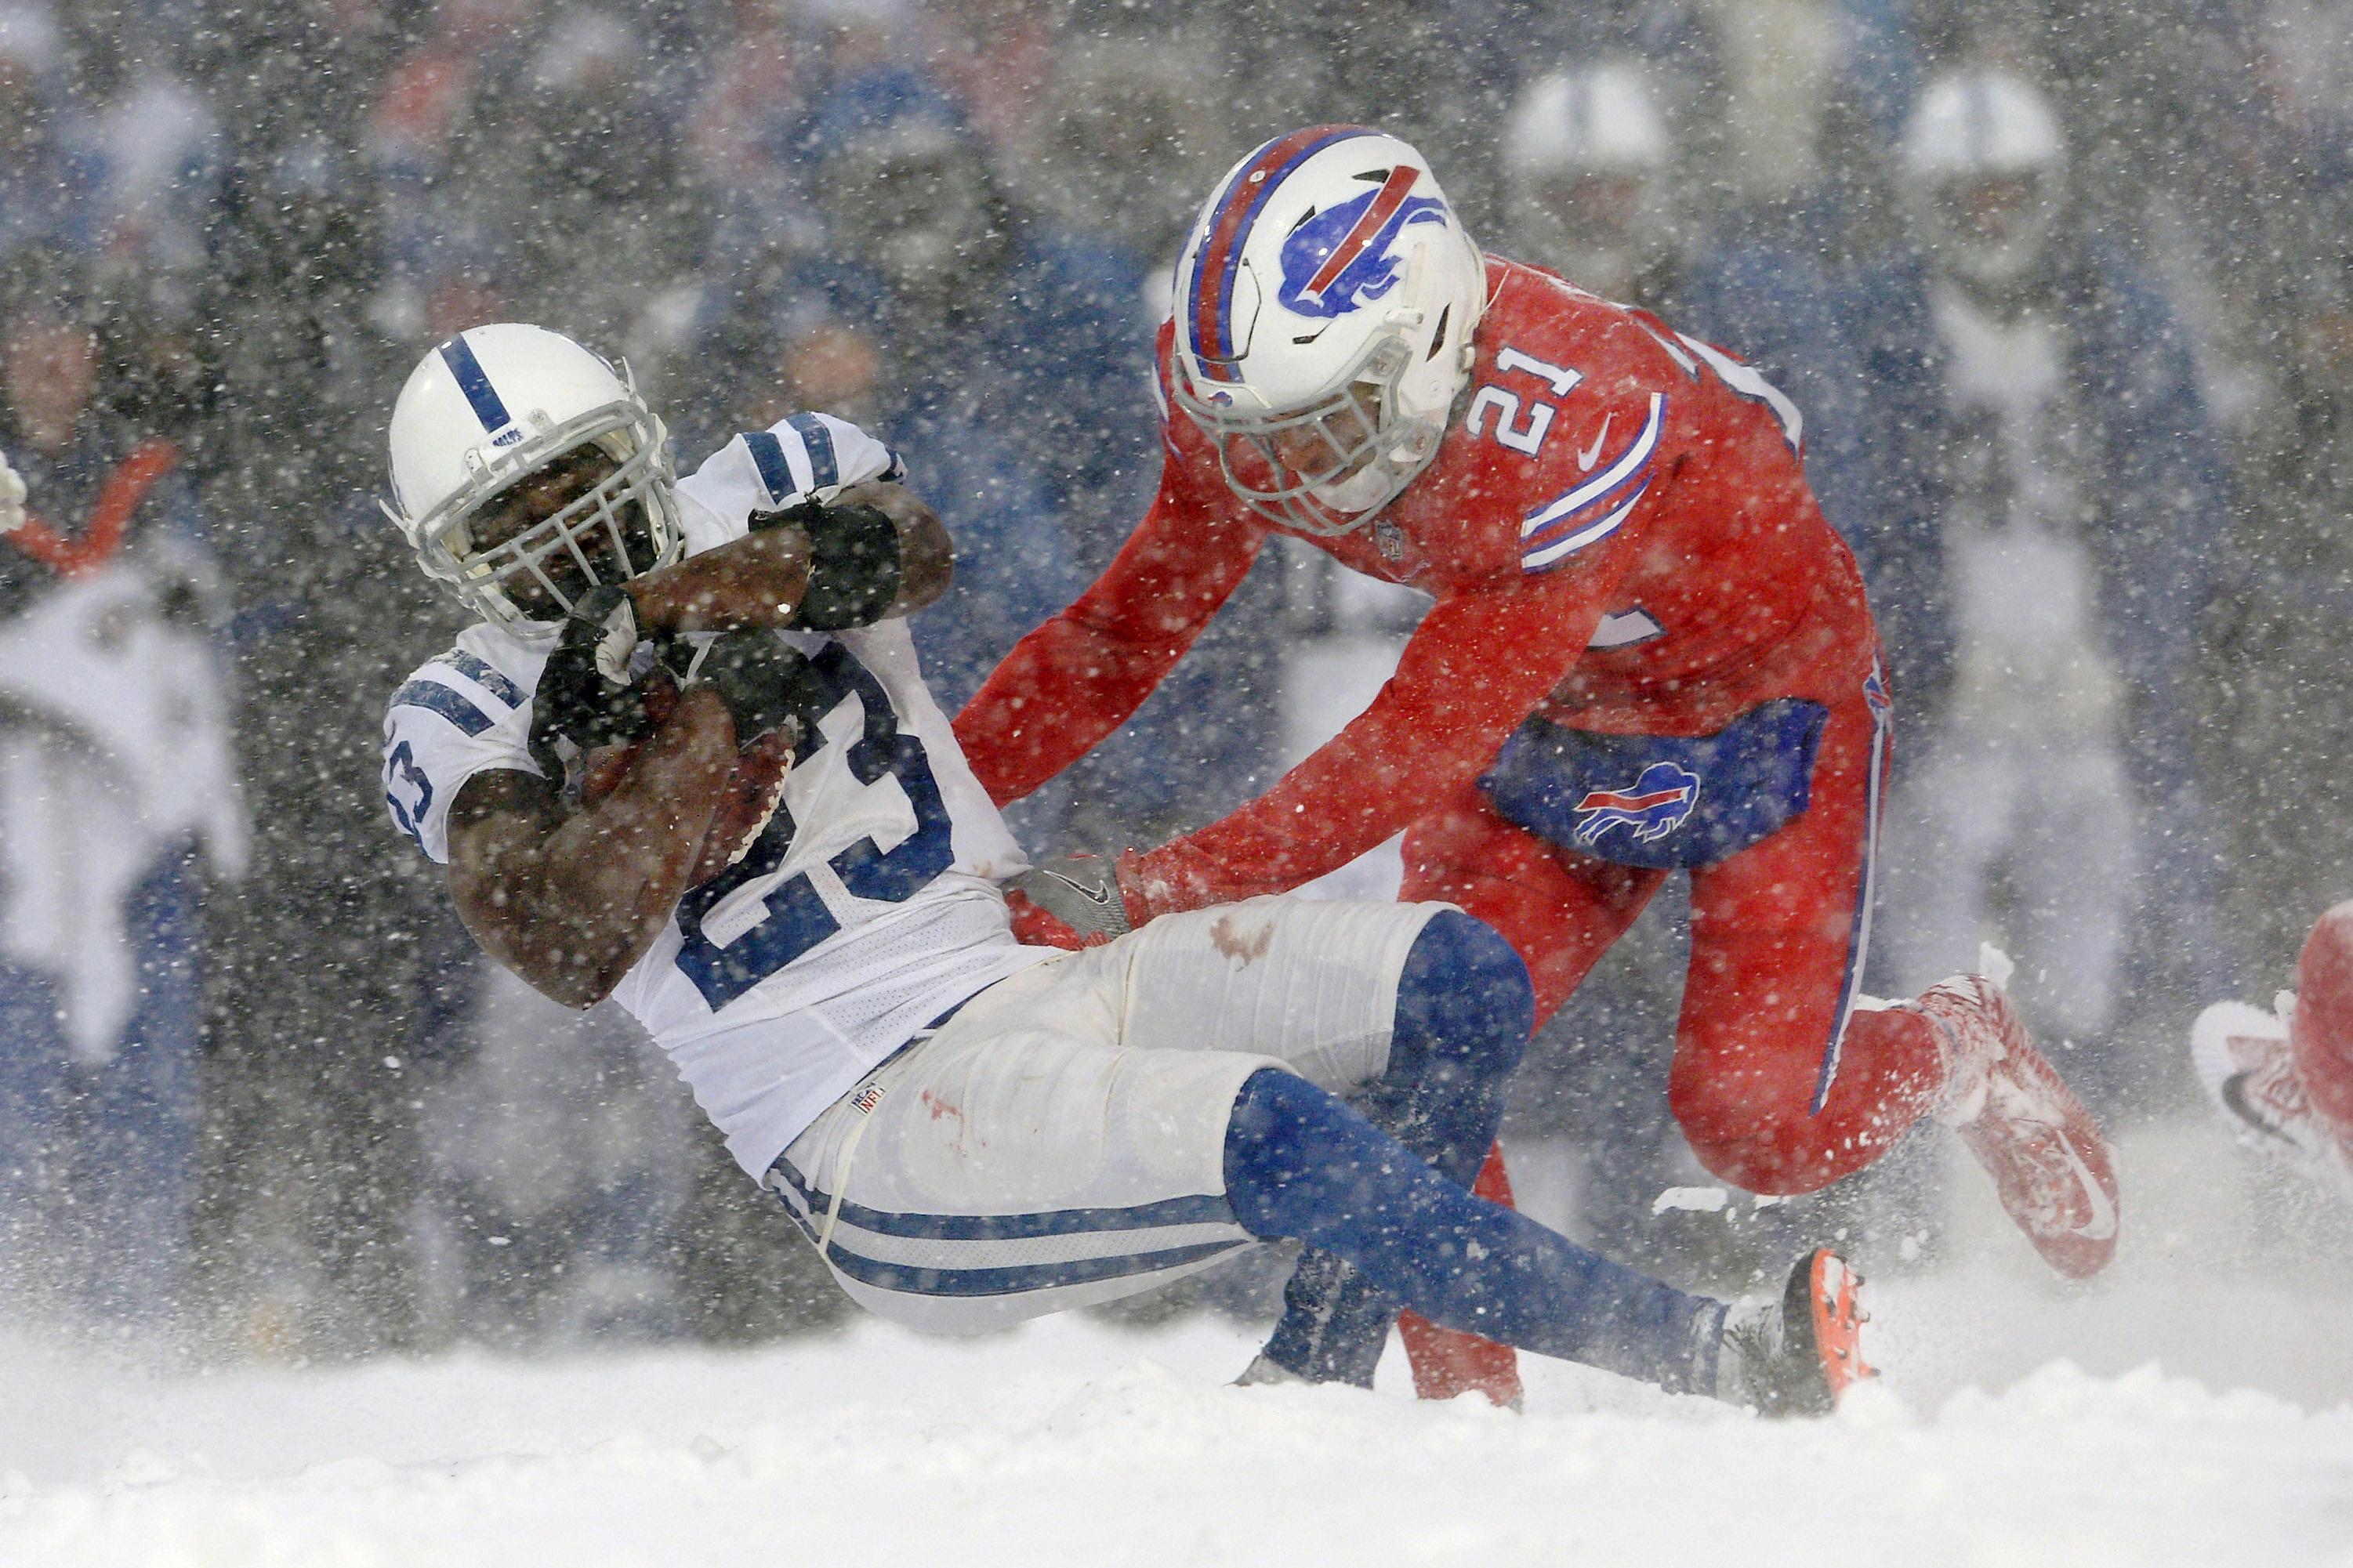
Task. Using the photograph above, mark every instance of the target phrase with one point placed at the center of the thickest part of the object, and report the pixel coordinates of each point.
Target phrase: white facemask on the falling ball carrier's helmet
(620, 528)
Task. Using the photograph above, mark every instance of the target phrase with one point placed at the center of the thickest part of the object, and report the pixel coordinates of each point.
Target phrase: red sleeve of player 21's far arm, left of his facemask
(1079, 676)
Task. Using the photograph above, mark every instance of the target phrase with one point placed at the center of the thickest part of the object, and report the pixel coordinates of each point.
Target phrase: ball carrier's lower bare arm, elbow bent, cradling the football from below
(573, 899)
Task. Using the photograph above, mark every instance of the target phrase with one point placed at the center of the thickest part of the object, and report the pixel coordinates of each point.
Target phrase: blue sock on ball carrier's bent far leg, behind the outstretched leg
(1465, 1012)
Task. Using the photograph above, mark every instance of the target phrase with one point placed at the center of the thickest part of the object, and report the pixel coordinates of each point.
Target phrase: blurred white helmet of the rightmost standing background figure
(1985, 170)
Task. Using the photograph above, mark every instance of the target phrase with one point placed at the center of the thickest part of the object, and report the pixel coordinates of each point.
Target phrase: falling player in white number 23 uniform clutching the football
(688, 760)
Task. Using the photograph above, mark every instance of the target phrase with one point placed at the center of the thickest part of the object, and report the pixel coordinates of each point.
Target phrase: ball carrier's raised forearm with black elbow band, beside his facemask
(867, 556)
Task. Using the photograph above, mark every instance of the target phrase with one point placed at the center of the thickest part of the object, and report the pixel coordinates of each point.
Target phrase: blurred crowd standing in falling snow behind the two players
(2065, 295)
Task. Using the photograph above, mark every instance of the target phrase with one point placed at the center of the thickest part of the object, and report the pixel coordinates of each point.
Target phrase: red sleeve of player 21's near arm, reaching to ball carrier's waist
(1472, 674)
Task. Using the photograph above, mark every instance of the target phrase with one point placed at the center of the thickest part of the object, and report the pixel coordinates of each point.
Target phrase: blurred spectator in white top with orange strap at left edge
(116, 789)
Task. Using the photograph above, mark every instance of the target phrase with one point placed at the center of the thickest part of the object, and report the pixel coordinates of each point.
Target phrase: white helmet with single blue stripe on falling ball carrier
(495, 406)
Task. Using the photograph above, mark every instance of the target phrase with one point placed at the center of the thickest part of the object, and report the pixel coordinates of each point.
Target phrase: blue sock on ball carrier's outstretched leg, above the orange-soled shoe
(1302, 1165)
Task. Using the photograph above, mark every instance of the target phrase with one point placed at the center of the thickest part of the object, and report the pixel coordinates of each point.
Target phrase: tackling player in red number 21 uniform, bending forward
(1648, 652)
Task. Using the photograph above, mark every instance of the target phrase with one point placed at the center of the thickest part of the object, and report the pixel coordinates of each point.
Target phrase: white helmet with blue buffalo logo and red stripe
(1326, 304)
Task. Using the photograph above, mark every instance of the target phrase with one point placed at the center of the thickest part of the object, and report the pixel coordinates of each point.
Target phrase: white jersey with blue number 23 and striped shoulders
(869, 906)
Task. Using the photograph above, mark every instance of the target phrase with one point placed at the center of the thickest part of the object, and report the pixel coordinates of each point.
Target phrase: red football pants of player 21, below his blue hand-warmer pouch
(1773, 1094)
